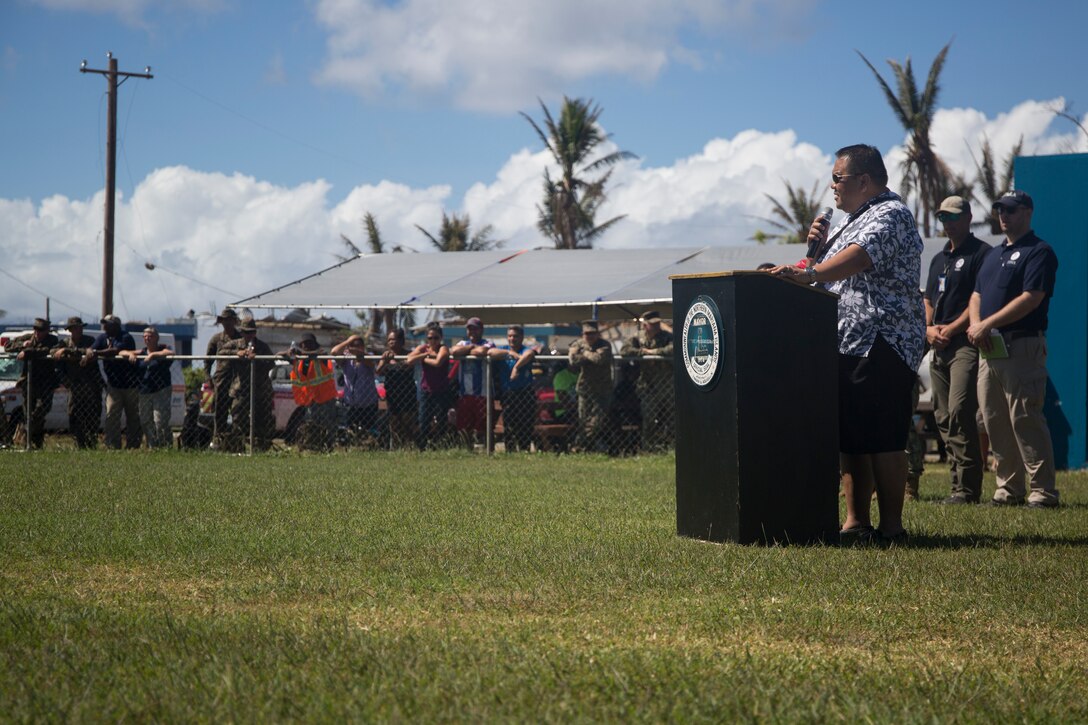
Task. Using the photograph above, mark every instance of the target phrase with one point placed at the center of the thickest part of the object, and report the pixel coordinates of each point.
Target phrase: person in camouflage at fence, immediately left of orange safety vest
(246, 349)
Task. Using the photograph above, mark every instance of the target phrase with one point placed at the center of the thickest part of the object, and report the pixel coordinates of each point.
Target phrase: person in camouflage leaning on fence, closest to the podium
(656, 382)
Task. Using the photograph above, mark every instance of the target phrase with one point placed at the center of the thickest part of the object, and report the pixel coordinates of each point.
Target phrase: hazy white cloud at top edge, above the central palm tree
(497, 56)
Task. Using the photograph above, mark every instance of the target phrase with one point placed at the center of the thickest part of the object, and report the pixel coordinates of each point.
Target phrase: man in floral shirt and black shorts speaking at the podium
(872, 260)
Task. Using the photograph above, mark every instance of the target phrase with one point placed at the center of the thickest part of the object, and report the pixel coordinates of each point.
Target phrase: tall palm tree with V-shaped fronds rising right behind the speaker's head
(925, 170)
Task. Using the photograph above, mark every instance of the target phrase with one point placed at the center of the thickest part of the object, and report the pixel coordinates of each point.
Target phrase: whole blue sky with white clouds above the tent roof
(271, 128)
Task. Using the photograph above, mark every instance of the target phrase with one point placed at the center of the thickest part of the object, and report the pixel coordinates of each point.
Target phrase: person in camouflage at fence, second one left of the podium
(594, 360)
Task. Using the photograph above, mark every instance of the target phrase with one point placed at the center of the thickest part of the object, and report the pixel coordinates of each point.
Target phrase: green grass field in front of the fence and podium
(451, 587)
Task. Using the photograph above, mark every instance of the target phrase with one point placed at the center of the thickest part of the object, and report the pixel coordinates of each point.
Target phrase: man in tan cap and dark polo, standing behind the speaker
(955, 366)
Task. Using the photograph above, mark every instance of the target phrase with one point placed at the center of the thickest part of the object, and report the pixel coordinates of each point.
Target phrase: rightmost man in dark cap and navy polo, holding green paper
(1008, 324)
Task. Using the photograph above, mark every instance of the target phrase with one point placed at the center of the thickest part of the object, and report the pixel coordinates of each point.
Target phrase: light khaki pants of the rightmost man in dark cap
(1011, 392)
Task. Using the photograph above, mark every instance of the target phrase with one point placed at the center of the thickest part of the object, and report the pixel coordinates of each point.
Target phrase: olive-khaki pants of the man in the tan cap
(955, 376)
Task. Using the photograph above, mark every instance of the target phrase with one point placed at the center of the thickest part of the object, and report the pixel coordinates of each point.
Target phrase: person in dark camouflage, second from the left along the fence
(84, 382)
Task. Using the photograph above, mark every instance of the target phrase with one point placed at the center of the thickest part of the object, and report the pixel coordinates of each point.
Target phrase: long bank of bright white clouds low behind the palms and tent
(245, 237)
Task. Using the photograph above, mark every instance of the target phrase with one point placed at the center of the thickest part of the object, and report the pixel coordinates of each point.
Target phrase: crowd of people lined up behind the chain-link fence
(431, 395)
